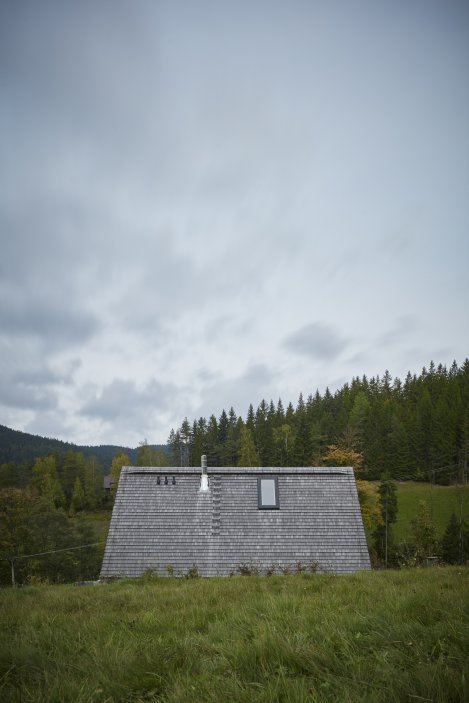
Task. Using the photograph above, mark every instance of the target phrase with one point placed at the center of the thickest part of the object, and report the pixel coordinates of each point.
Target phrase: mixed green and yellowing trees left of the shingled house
(44, 535)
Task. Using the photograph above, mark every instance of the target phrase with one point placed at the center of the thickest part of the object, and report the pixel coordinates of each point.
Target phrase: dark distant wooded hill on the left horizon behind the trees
(21, 447)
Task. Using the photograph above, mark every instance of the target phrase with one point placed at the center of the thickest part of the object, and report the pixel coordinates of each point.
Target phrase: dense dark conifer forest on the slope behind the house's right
(416, 428)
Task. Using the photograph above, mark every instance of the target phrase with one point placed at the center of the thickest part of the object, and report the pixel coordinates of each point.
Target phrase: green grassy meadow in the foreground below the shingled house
(374, 636)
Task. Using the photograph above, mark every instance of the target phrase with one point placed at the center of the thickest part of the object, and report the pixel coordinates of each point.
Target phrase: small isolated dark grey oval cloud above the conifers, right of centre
(317, 340)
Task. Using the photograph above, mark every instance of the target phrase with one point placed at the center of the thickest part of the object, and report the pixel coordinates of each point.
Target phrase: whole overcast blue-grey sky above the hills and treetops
(203, 204)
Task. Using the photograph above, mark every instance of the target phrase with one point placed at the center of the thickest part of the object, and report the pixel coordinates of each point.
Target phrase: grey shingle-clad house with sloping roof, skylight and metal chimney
(233, 520)
